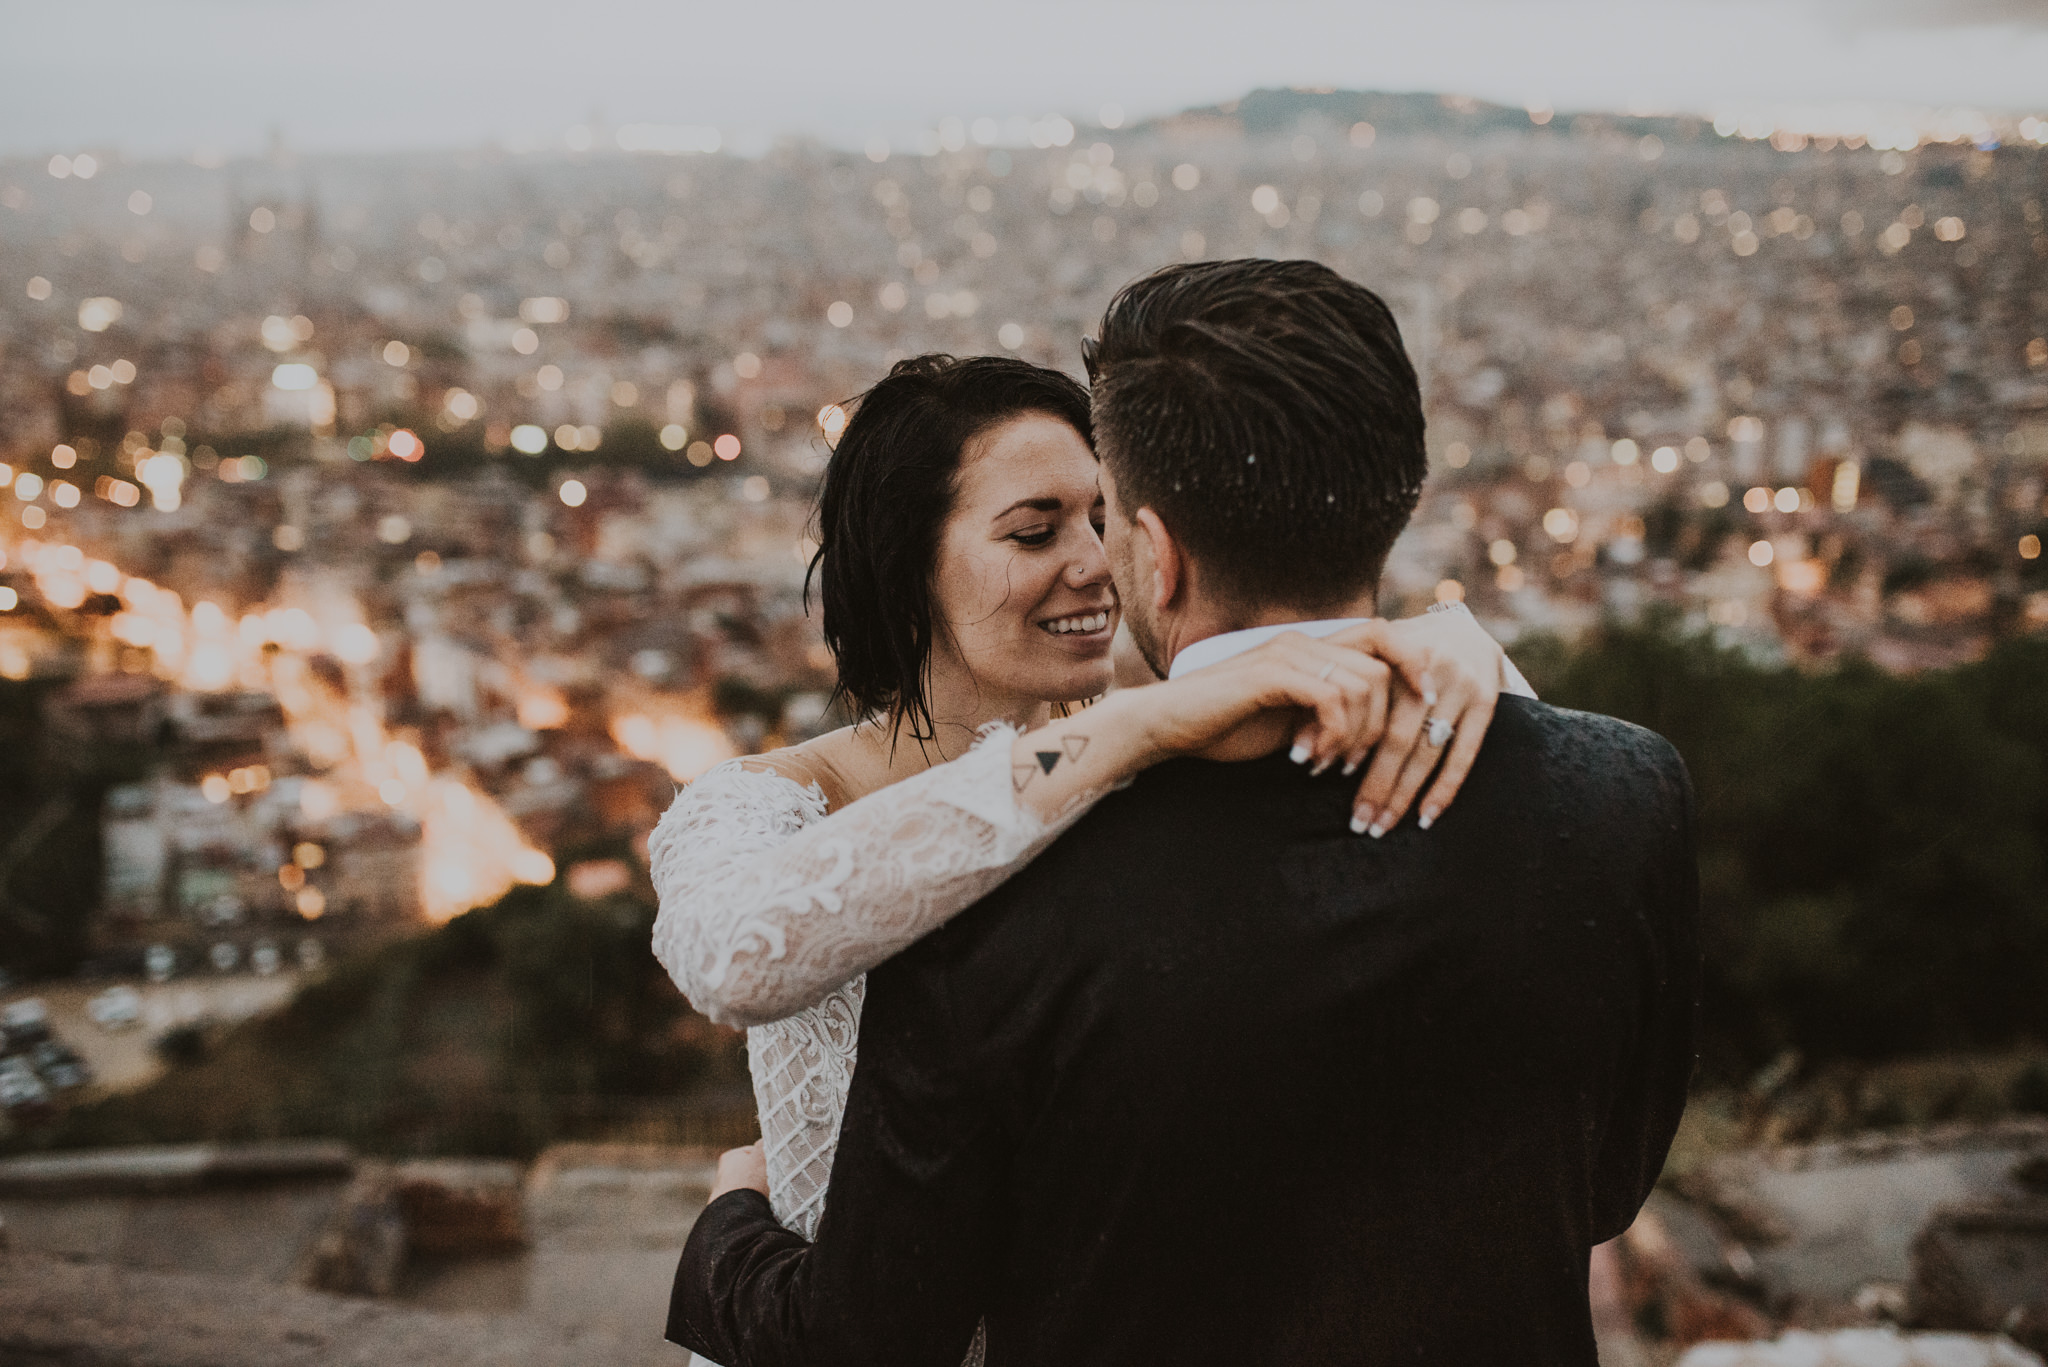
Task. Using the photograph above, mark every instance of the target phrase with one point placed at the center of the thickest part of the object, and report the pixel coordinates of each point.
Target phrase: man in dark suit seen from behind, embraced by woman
(1218, 1081)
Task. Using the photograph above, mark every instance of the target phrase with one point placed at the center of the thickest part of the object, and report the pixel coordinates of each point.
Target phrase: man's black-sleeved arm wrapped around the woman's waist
(900, 1272)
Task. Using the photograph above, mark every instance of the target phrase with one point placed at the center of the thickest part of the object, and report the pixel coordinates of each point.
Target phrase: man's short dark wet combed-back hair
(1267, 413)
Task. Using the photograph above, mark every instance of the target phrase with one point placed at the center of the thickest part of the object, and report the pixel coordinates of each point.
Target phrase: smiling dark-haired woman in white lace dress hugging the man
(970, 608)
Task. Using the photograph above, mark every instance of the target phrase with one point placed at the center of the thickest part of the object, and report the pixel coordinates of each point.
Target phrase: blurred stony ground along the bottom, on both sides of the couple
(1906, 1249)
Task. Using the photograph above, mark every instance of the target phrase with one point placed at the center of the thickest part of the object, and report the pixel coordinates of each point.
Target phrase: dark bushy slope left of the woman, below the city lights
(529, 1022)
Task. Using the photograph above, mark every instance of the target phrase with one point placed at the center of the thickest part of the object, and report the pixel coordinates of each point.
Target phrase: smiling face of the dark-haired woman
(1023, 589)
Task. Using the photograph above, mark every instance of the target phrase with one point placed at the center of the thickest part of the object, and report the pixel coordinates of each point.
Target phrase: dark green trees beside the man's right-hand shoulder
(1873, 850)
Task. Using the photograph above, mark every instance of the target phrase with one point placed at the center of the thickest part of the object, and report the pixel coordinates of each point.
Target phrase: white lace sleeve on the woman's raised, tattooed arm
(769, 903)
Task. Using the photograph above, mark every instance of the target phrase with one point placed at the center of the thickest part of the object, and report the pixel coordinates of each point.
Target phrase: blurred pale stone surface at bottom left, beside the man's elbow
(591, 1286)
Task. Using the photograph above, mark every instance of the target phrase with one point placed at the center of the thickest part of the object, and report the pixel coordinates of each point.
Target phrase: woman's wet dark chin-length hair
(888, 495)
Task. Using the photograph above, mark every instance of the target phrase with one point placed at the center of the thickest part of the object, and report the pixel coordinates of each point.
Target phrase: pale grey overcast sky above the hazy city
(173, 77)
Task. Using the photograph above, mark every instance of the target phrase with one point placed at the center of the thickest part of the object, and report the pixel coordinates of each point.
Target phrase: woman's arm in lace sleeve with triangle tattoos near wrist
(769, 903)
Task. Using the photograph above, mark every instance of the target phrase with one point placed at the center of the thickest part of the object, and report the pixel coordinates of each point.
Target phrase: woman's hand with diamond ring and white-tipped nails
(1449, 681)
